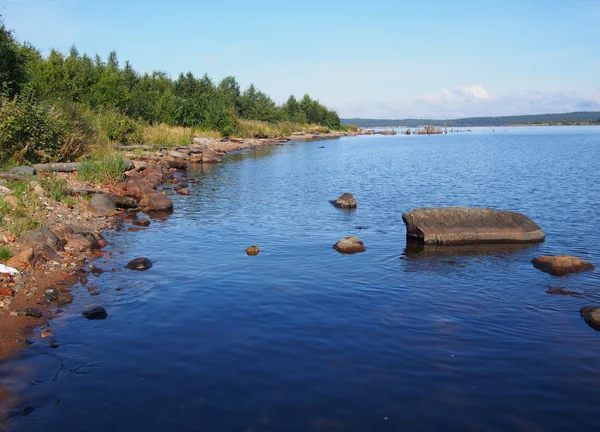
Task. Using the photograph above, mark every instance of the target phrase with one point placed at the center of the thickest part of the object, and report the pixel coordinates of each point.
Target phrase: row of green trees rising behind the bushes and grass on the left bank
(76, 82)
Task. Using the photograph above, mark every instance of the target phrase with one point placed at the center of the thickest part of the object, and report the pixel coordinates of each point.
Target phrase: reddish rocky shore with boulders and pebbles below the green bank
(65, 251)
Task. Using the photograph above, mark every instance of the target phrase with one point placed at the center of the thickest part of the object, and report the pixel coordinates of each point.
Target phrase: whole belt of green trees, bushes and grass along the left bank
(52, 106)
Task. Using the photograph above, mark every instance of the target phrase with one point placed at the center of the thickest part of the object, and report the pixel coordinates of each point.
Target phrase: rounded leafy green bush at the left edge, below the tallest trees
(28, 133)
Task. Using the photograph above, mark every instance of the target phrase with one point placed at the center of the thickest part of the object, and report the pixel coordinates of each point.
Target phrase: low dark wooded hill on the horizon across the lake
(580, 117)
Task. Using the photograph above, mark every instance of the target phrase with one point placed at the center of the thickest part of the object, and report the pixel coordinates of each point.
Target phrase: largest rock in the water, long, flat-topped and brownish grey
(464, 225)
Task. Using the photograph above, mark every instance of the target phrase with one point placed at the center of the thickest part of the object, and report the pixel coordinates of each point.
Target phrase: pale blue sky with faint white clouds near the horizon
(371, 59)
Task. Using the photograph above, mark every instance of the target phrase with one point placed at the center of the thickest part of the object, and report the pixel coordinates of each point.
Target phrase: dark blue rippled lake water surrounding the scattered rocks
(302, 338)
